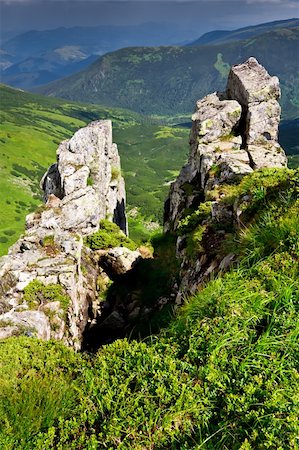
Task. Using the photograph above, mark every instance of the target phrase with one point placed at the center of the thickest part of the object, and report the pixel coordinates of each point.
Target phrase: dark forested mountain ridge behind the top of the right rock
(168, 80)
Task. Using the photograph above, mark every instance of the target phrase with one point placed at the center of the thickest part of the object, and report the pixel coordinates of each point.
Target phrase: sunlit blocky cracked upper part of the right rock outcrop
(235, 131)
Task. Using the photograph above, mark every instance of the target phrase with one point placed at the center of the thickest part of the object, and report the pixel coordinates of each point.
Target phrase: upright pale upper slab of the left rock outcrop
(88, 158)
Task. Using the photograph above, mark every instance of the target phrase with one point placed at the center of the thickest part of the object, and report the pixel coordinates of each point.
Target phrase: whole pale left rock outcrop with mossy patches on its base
(83, 187)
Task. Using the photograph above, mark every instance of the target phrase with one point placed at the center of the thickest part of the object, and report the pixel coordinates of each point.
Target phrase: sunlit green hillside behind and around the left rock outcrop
(32, 127)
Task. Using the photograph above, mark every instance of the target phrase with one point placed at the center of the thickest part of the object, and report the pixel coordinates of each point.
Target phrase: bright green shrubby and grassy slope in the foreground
(222, 375)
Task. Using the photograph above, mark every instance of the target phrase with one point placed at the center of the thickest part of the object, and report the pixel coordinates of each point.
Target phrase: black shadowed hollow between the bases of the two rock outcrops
(132, 306)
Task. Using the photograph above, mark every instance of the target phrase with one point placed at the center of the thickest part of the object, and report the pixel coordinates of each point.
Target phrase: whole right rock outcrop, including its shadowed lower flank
(233, 134)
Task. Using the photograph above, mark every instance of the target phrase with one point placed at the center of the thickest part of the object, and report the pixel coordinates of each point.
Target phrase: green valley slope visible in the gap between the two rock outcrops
(151, 157)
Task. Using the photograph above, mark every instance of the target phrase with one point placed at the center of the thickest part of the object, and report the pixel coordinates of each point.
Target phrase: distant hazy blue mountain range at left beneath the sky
(38, 57)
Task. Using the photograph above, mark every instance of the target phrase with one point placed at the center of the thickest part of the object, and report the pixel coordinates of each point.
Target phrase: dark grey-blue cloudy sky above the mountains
(198, 16)
